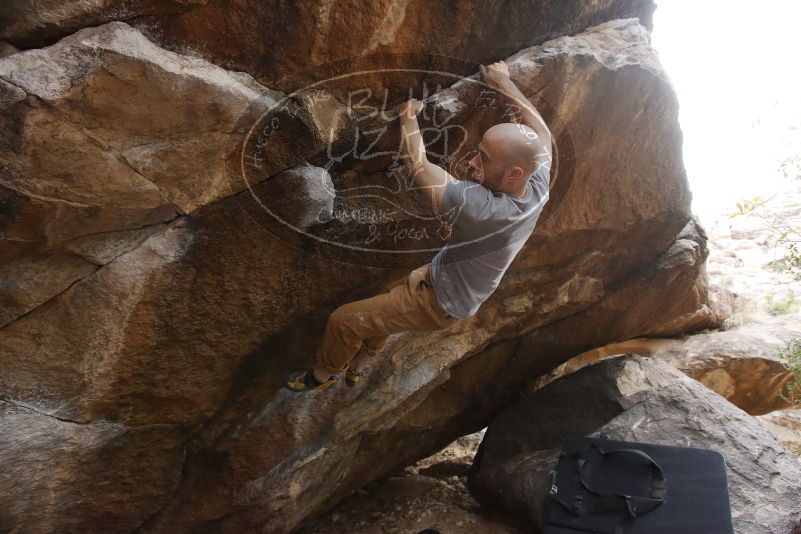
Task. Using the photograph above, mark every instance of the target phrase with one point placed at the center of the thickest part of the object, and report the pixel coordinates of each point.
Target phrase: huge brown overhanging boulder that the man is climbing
(186, 313)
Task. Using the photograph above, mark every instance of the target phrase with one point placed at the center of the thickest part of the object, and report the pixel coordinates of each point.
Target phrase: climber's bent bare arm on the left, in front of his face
(427, 176)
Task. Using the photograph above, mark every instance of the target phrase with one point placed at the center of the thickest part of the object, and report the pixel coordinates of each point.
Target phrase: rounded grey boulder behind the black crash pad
(631, 398)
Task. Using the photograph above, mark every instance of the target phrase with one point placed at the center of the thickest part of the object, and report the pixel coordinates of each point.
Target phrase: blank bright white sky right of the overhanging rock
(736, 68)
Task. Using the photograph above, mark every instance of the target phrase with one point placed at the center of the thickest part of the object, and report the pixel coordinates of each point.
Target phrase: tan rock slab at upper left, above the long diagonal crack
(106, 139)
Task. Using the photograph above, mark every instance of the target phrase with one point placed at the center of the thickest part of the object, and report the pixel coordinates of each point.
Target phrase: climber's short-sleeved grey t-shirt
(488, 232)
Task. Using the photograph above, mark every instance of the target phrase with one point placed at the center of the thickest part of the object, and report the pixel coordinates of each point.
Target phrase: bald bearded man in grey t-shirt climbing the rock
(498, 208)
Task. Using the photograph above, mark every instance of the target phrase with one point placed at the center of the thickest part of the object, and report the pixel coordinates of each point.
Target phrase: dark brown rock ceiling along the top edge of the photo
(275, 41)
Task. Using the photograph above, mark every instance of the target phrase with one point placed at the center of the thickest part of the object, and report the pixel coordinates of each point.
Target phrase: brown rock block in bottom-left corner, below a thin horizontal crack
(102, 473)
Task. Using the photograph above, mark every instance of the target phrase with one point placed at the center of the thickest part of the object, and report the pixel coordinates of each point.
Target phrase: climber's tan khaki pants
(410, 304)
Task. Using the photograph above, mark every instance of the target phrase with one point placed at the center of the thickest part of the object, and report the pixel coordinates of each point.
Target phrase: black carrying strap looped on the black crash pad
(633, 504)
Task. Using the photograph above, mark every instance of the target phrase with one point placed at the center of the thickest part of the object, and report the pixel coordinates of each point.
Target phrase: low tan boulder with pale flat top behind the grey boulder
(741, 364)
